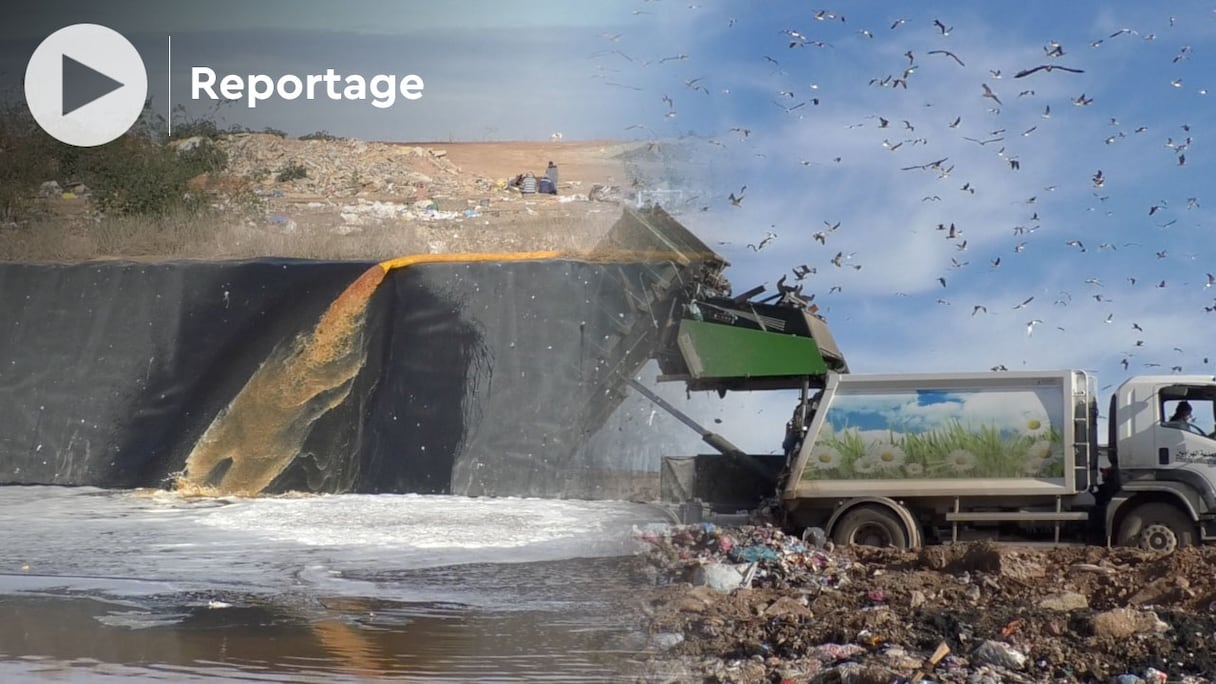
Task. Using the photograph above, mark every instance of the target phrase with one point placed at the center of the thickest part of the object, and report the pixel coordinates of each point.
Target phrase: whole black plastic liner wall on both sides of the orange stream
(475, 378)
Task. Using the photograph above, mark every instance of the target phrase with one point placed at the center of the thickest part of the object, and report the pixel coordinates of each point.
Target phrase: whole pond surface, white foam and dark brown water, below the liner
(104, 586)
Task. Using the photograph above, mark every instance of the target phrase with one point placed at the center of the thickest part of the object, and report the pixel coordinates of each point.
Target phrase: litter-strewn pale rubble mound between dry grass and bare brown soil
(381, 189)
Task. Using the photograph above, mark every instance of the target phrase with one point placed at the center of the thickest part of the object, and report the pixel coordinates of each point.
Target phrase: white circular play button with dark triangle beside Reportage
(86, 85)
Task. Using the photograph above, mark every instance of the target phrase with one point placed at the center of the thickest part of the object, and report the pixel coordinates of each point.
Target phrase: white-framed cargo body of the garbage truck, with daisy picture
(949, 435)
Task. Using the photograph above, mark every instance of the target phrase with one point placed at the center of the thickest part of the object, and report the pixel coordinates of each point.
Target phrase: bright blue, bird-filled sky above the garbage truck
(1100, 274)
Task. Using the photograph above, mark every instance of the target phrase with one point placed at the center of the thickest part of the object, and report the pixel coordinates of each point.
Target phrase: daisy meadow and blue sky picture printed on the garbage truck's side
(930, 435)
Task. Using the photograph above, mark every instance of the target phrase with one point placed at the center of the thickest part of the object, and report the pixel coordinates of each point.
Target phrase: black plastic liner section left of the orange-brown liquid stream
(110, 372)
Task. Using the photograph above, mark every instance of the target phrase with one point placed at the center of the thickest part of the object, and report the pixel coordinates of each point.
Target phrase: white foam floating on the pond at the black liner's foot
(149, 542)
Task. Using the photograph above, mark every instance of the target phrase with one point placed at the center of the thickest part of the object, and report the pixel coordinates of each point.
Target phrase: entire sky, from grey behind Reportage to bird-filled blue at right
(1051, 266)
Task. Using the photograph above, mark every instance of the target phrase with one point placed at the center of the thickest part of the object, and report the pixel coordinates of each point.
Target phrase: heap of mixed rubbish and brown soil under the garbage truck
(752, 604)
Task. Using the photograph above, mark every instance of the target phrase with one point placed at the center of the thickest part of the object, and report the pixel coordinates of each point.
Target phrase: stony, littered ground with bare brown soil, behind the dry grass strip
(446, 198)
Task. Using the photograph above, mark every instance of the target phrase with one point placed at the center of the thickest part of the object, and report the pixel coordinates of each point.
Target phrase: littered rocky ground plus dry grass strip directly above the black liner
(359, 200)
